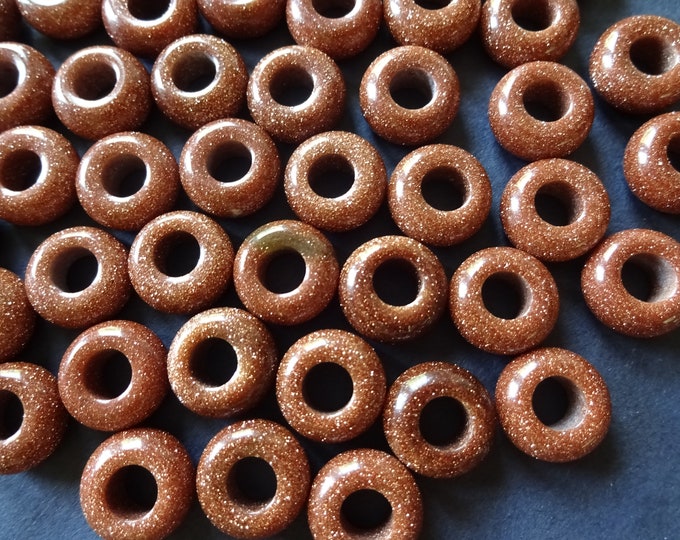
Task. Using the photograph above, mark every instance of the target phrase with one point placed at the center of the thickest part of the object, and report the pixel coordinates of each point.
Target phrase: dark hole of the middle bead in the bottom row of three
(252, 482)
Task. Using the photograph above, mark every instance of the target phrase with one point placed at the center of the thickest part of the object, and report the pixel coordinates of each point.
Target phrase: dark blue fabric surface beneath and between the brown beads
(628, 488)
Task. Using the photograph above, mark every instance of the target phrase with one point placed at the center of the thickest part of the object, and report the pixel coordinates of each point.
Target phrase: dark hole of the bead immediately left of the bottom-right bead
(443, 421)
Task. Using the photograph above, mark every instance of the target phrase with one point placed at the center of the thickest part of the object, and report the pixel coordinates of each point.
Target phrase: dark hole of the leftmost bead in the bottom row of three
(131, 492)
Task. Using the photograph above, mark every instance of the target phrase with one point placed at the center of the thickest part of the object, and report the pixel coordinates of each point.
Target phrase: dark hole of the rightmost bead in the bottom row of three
(366, 512)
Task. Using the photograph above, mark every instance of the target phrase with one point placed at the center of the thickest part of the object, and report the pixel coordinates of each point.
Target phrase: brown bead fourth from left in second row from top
(295, 92)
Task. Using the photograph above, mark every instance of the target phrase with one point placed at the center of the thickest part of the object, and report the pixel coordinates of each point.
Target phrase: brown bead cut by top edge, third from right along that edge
(340, 29)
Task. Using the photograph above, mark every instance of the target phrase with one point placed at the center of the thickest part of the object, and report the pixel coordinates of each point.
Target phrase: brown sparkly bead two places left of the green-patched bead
(77, 305)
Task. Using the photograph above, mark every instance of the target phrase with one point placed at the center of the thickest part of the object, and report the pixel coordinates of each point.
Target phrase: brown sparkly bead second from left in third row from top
(127, 179)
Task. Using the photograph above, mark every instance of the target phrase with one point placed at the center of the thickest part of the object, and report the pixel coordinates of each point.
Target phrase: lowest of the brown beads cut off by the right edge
(655, 254)
